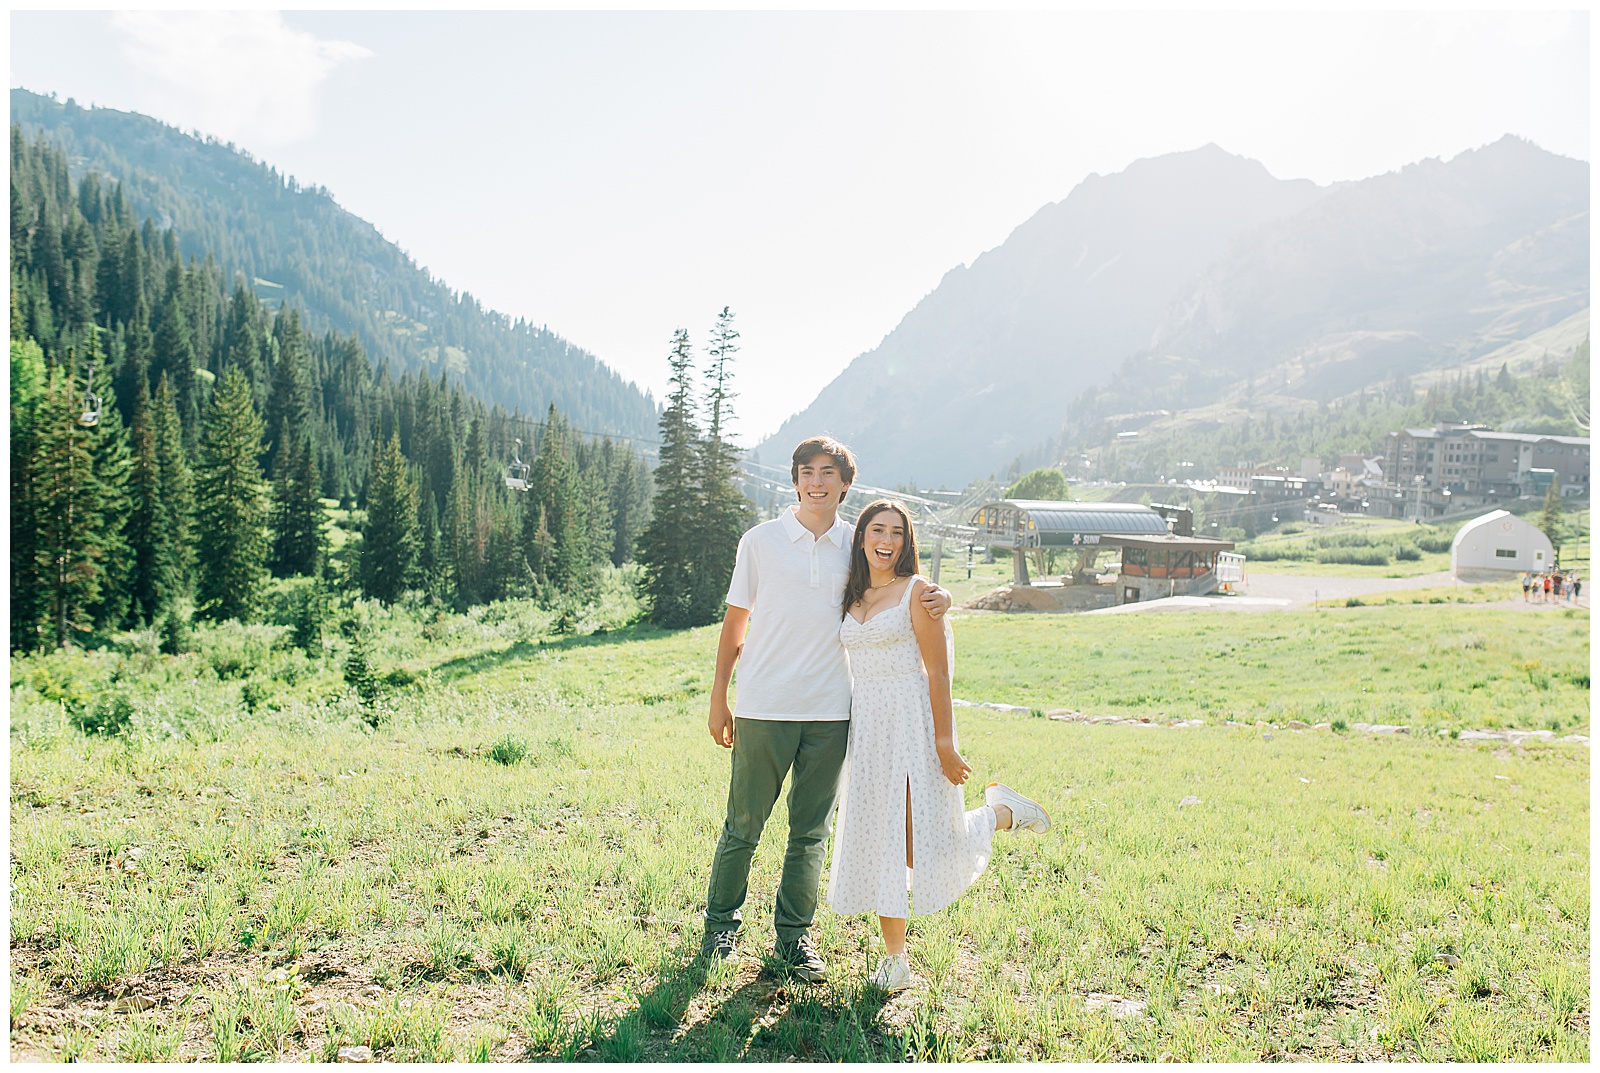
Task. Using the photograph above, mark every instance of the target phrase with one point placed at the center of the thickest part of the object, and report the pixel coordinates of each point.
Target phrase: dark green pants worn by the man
(764, 752)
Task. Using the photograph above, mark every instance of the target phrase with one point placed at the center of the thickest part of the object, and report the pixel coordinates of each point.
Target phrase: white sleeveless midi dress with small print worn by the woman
(892, 748)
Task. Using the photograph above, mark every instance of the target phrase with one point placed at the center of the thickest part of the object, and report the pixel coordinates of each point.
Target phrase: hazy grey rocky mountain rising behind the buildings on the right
(1130, 268)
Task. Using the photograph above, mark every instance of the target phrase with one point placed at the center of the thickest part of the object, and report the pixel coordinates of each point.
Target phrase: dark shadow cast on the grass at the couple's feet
(833, 1023)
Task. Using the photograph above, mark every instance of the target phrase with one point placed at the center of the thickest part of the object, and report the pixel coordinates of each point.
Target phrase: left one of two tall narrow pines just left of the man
(666, 548)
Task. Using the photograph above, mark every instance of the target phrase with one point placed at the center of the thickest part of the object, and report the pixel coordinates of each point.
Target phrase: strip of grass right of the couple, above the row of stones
(1431, 666)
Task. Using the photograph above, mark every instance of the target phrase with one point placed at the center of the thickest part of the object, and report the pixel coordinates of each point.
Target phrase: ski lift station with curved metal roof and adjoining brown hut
(1156, 562)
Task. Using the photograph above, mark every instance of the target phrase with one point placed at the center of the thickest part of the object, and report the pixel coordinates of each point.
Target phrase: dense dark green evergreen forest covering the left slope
(223, 426)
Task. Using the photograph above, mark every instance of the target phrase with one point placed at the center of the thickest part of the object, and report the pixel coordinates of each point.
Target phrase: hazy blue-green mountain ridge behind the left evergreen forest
(340, 268)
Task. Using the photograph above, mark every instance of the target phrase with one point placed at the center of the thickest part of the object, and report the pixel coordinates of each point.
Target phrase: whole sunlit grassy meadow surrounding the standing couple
(511, 864)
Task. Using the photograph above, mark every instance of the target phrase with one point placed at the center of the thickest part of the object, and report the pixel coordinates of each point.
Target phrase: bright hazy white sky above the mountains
(622, 175)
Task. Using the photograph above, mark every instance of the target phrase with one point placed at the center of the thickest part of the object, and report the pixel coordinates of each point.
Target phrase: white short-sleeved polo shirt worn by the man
(793, 584)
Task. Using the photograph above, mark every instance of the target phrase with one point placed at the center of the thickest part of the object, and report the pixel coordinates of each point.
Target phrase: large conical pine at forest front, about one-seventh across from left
(231, 506)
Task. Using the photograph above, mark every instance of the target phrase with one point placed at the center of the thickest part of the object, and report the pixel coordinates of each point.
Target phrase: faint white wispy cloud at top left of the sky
(242, 76)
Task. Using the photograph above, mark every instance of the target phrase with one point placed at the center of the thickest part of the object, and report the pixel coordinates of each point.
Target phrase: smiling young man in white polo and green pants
(794, 701)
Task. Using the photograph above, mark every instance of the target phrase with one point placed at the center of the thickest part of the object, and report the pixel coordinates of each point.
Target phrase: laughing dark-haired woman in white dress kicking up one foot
(902, 821)
